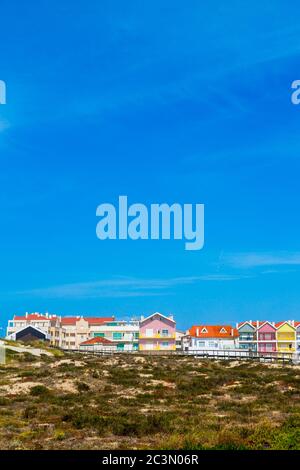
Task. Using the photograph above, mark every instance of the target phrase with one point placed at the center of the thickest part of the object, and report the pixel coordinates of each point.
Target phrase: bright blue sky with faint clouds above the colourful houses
(162, 101)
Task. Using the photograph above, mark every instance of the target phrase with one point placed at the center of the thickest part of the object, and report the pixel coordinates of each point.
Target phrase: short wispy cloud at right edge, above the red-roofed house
(253, 260)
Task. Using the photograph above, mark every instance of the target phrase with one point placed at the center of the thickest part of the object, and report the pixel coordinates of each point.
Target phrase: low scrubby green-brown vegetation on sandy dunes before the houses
(143, 402)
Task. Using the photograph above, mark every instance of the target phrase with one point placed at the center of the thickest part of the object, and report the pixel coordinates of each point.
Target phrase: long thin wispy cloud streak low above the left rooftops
(123, 287)
